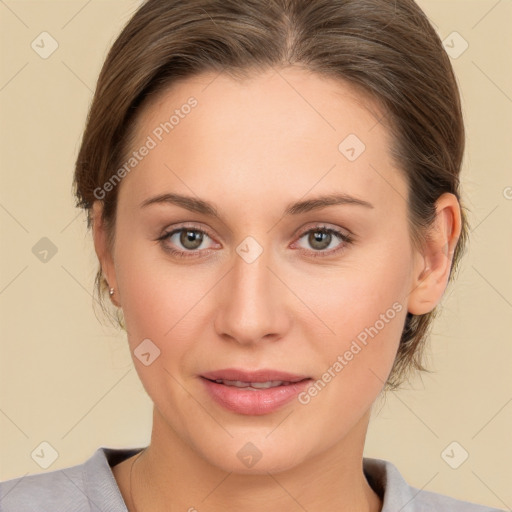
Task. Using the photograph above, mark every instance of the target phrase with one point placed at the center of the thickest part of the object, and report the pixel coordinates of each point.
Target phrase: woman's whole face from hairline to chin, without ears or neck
(260, 285)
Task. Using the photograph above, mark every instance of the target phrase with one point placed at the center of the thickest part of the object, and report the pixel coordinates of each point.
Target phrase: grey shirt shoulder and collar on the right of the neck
(397, 494)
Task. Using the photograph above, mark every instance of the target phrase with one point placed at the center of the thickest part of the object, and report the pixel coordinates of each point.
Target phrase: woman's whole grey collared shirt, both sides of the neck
(91, 487)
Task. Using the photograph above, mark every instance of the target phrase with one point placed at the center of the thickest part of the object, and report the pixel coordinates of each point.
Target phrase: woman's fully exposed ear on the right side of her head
(434, 259)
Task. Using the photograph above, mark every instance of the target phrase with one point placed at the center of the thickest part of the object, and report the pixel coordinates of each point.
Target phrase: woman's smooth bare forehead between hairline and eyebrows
(286, 129)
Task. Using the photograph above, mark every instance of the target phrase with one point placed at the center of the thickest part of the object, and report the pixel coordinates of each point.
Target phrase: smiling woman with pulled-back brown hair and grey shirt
(273, 191)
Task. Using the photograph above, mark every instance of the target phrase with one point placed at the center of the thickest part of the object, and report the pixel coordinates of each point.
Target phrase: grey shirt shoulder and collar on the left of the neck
(80, 488)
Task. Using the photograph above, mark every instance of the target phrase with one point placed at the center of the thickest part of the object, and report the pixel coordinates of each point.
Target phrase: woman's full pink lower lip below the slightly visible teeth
(254, 401)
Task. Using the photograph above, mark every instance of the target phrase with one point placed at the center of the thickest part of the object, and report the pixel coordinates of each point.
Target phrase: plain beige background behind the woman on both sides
(69, 381)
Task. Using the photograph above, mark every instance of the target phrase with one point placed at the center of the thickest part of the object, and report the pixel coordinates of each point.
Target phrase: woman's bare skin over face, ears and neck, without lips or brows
(252, 147)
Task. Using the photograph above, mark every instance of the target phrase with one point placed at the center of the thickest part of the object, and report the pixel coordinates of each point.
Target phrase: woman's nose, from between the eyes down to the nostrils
(252, 303)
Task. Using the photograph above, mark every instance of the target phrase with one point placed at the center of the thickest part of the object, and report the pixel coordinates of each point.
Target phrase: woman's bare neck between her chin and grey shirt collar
(171, 473)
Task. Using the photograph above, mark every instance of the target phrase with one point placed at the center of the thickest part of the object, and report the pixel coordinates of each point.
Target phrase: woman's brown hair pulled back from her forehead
(387, 49)
